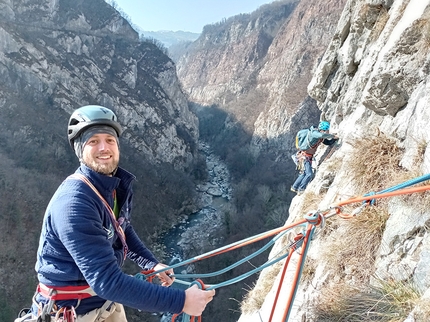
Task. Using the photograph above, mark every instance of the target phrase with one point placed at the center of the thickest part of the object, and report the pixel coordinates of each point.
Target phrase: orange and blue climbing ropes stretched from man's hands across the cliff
(299, 244)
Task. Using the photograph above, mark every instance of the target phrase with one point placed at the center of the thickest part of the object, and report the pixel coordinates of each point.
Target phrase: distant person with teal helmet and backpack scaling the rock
(307, 142)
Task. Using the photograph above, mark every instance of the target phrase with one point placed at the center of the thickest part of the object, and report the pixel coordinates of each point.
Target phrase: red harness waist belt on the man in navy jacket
(65, 292)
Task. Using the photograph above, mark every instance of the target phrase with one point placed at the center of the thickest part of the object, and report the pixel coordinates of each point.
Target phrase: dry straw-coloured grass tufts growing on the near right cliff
(350, 246)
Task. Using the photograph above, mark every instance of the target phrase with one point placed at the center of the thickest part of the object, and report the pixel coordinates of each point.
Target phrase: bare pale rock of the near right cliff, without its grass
(373, 78)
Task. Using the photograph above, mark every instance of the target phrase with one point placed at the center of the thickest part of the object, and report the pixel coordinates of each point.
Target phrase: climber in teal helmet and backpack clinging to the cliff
(316, 137)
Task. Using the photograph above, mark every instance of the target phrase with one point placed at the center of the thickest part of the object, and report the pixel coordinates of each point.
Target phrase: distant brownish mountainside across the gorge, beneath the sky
(257, 67)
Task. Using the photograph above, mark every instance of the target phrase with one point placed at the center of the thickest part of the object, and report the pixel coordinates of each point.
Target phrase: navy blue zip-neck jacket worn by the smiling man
(78, 246)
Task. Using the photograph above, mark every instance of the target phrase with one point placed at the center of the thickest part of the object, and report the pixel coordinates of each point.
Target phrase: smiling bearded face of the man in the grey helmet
(101, 153)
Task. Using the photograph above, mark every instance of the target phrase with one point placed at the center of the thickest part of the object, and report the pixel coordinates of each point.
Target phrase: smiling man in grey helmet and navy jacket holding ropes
(87, 235)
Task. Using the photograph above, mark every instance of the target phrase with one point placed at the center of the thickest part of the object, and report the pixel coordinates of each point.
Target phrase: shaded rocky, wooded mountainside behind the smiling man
(56, 56)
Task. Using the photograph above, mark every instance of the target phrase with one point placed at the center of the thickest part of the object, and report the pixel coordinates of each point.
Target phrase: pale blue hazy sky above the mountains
(185, 15)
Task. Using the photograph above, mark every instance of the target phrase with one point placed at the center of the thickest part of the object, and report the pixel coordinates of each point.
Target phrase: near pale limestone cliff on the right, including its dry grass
(372, 82)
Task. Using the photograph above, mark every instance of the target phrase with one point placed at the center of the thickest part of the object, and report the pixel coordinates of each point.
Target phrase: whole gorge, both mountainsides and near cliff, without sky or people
(244, 87)
